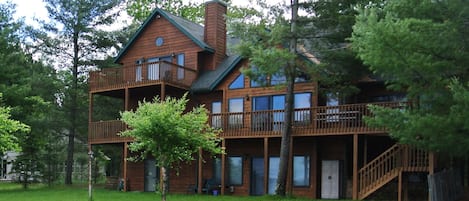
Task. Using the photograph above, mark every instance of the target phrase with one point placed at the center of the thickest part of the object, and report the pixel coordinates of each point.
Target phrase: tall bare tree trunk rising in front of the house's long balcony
(286, 130)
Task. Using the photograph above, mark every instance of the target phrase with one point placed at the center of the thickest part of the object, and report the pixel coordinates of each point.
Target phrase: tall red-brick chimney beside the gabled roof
(215, 31)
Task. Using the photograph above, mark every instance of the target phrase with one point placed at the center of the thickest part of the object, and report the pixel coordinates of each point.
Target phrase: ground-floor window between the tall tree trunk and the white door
(301, 170)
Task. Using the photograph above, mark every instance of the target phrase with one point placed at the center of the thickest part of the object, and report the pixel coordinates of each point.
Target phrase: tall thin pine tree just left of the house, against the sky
(74, 39)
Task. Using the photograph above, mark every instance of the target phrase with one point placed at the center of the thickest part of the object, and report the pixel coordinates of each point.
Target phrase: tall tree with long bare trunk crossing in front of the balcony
(263, 42)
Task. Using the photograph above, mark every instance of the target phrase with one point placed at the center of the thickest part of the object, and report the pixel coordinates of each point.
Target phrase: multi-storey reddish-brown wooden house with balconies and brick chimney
(333, 153)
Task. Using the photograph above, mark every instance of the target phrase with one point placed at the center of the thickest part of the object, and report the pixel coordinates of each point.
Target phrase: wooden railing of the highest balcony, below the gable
(141, 74)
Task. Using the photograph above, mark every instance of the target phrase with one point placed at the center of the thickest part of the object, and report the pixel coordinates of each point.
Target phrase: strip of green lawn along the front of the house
(14, 192)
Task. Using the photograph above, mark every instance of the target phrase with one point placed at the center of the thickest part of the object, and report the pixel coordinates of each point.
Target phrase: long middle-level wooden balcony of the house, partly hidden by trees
(326, 120)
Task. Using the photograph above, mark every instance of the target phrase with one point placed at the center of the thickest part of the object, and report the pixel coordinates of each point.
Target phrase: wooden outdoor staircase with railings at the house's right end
(389, 165)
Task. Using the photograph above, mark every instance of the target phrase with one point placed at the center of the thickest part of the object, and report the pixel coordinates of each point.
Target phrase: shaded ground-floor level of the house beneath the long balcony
(320, 167)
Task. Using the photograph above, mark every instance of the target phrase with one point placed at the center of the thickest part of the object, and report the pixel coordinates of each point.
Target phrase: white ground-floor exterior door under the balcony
(330, 179)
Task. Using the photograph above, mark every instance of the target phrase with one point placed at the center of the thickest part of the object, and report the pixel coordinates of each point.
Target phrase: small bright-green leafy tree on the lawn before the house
(164, 130)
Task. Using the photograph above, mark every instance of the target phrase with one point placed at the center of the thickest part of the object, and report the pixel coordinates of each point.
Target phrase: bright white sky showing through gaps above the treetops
(31, 9)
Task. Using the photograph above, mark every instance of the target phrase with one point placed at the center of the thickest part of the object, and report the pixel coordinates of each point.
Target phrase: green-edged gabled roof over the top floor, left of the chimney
(192, 30)
